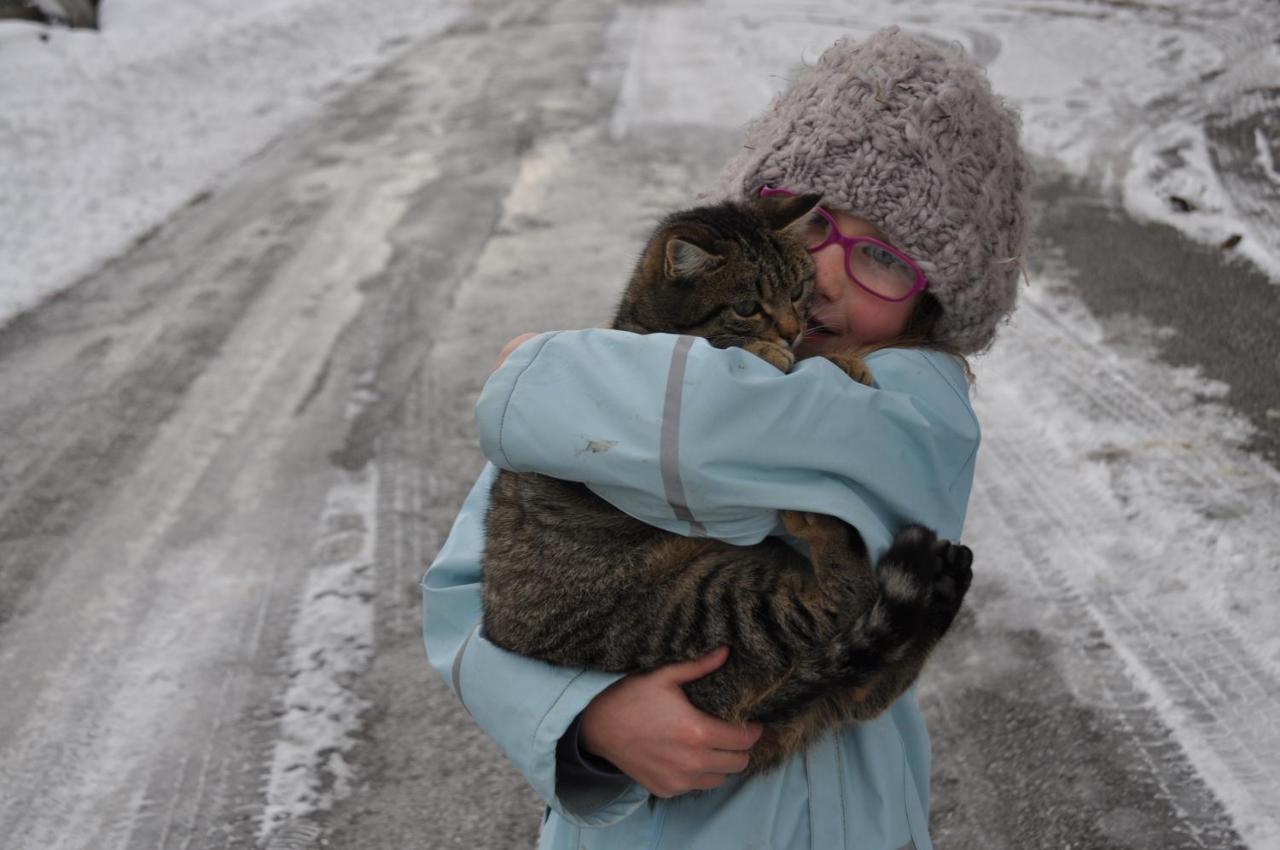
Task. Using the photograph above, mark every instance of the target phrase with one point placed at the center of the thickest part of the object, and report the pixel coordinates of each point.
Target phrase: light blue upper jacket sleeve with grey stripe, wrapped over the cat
(714, 442)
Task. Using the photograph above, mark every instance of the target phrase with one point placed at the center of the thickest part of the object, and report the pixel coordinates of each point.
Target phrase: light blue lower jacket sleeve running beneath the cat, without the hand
(525, 706)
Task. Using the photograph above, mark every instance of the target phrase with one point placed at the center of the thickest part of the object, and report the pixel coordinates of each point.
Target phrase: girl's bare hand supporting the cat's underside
(647, 726)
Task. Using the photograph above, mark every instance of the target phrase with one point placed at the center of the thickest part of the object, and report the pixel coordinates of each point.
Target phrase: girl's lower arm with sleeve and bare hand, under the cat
(657, 738)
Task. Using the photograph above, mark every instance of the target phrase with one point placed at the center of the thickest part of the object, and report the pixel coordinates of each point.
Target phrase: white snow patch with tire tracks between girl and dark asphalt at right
(1132, 509)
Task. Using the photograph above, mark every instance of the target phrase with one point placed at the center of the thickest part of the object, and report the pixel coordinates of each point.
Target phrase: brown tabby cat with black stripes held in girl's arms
(815, 643)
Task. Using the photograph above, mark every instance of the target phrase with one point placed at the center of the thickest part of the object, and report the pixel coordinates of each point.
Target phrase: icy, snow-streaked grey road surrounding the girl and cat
(227, 456)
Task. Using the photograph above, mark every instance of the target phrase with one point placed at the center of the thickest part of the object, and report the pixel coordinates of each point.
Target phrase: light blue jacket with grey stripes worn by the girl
(710, 442)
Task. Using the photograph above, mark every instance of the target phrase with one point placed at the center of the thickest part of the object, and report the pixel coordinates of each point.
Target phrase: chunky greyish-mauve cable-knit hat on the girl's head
(912, 139)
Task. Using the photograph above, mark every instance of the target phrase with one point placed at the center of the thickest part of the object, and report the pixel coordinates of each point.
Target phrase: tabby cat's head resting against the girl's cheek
(732, 273)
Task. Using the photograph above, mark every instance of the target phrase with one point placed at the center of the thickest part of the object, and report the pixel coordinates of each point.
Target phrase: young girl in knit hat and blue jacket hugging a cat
(917, 254)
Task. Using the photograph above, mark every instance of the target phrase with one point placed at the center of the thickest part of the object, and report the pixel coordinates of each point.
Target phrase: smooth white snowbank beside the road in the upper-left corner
(106, 135)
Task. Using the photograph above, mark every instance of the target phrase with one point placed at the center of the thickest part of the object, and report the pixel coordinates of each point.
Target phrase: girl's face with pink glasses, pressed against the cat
(843, 316)
